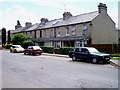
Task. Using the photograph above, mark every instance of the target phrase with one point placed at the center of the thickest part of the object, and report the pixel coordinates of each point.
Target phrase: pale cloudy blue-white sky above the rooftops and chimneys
(34, 10)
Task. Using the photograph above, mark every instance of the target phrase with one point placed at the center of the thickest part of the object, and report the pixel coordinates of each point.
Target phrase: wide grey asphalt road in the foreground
(25, 71)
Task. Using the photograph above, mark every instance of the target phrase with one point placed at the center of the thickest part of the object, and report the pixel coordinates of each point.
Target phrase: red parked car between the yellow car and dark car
(33, 50)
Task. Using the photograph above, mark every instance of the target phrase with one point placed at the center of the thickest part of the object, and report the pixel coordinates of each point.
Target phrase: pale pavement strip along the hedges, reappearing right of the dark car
(115, 63)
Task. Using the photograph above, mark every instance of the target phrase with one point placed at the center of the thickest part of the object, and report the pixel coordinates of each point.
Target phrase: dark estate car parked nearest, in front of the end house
(88, 53)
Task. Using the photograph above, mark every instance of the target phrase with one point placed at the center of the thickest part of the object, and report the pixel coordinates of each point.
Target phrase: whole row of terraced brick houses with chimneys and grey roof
(93, 28)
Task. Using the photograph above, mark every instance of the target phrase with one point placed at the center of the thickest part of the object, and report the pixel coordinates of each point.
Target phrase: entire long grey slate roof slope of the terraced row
(86, 17)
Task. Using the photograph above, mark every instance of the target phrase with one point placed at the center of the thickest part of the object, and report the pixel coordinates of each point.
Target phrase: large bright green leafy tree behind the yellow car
(19, 38)
